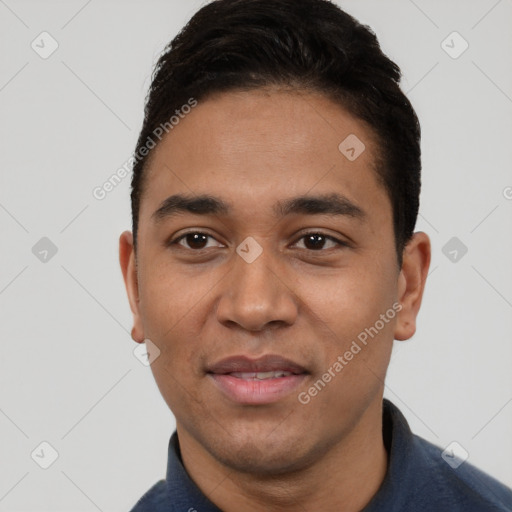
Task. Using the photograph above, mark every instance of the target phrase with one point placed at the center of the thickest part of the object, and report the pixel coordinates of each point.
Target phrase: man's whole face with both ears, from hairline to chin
(259, 296)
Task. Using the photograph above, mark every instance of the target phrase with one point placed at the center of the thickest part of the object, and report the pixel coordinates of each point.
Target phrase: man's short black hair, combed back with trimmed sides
(303, 44)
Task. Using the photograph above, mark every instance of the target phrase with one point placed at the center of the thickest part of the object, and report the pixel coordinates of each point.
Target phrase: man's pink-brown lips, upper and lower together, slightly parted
(249, 391)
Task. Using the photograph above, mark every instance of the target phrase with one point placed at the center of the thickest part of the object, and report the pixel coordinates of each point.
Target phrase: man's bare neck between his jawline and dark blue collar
(346, 478)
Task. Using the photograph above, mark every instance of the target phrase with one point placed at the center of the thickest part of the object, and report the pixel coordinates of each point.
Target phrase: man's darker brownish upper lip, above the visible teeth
(267, 363)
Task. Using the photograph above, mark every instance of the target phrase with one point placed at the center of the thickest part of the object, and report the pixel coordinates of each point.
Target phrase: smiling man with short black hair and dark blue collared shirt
(272, 263)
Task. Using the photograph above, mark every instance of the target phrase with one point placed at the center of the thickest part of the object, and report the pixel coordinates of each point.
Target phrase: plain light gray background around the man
(67, 372)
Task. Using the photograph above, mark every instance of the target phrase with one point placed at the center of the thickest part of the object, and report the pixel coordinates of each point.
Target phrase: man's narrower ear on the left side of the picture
(129, 269)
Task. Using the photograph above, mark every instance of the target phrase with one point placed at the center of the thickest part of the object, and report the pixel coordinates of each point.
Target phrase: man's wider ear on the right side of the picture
(411, 283)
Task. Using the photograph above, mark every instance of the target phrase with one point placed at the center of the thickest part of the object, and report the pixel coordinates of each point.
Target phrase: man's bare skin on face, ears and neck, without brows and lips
(199, 306)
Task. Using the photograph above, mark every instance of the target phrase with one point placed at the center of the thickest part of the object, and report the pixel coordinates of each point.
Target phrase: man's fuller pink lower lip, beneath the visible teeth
(257, 392)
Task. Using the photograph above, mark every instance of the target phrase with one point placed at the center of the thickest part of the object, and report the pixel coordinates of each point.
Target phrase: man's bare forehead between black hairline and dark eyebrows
(265, 145)
